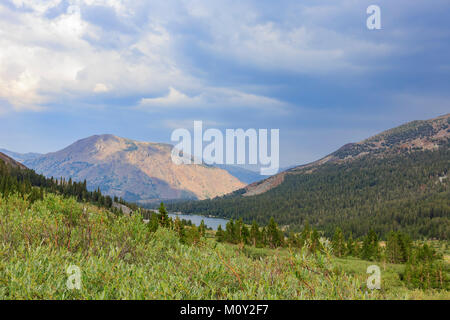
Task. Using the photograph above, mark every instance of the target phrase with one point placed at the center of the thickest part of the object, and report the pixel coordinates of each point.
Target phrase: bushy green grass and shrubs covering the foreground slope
(120, 258)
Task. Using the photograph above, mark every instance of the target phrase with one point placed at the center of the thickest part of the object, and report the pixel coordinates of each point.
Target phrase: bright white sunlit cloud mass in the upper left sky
(43, 61)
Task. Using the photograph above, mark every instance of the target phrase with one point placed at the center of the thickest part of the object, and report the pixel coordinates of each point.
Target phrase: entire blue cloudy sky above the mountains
(70, 69)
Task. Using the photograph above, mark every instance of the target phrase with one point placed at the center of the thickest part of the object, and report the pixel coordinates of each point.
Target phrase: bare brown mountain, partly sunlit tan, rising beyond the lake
(136, 171)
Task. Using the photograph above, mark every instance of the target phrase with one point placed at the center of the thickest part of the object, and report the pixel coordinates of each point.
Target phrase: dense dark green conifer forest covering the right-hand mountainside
(406, 192)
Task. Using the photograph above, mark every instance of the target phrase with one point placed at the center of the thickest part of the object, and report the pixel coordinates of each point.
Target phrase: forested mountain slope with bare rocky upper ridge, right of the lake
(396, 180)
